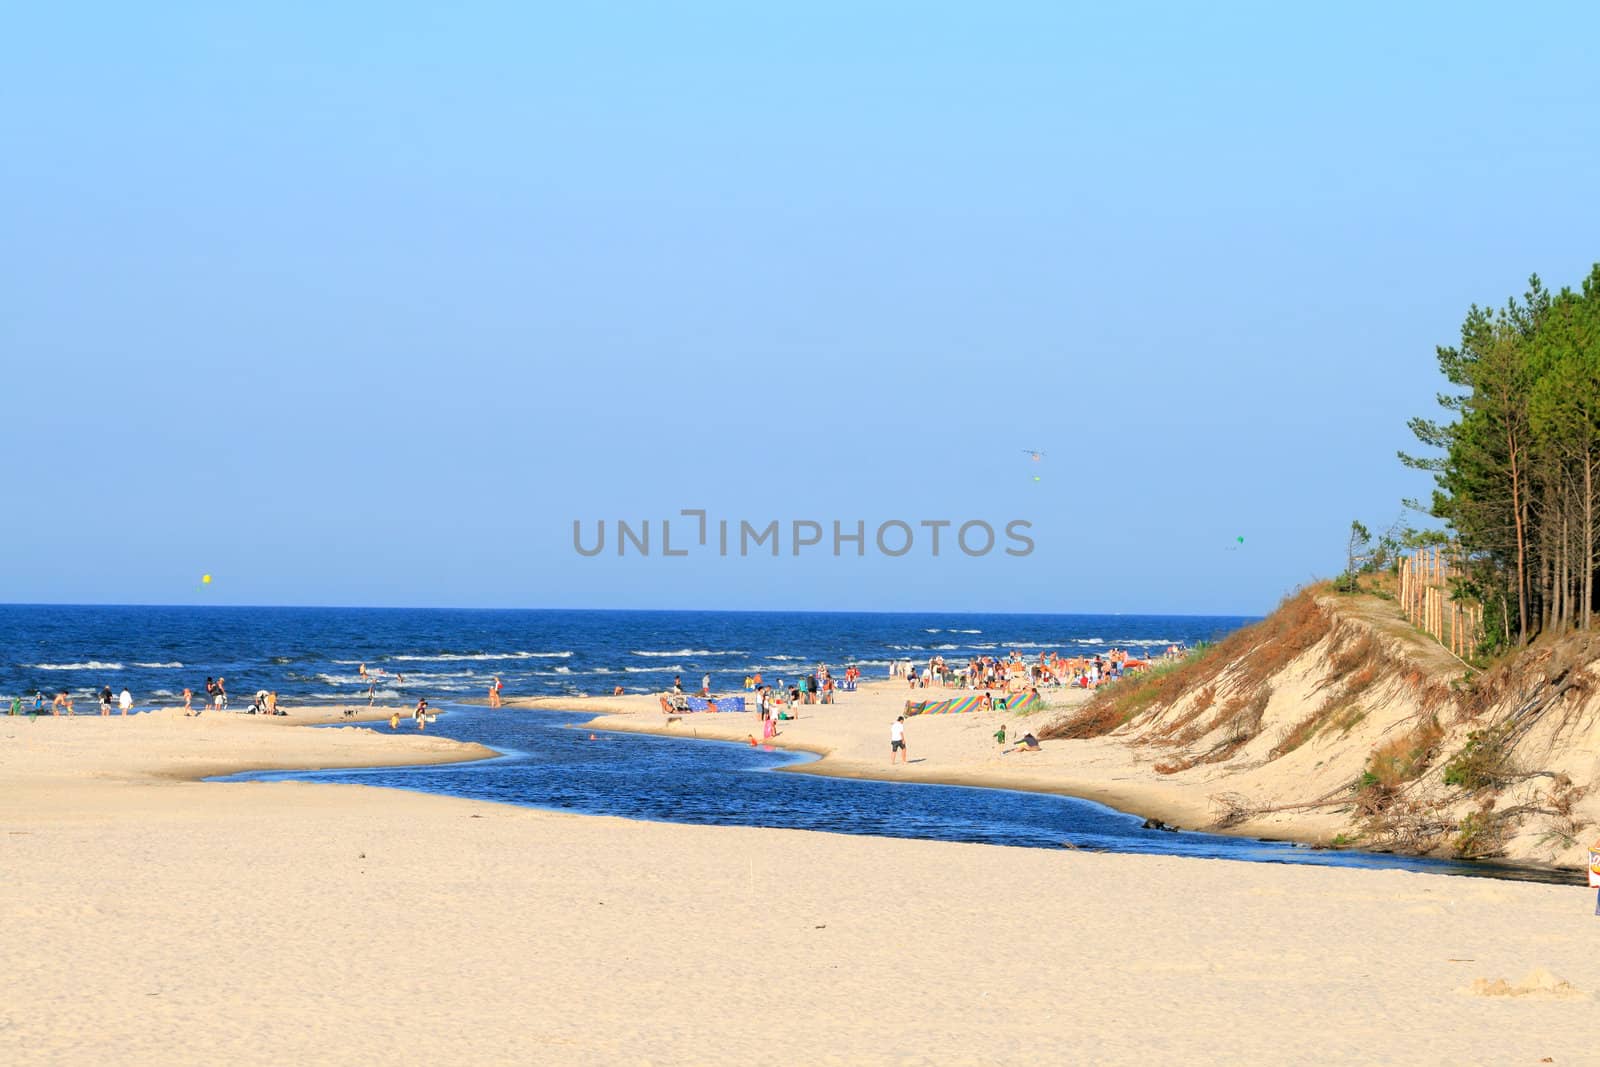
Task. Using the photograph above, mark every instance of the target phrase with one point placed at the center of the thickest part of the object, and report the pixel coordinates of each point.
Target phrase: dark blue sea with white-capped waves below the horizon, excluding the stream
(314, 655)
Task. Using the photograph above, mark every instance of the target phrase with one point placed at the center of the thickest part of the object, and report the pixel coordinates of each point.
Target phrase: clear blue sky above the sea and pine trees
(362, 305)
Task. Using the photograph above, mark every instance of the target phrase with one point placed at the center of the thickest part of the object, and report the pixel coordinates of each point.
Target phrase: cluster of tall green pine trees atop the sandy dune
(1518, 462)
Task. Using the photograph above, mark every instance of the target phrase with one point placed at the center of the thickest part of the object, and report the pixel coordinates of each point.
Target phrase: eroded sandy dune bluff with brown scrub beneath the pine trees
(1334, 719)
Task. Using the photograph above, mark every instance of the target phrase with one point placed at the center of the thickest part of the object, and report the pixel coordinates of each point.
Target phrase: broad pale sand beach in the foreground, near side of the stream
(151, 919)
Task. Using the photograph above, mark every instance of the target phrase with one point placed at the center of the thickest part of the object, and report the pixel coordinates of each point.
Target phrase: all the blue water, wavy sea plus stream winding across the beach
(553, 761)
